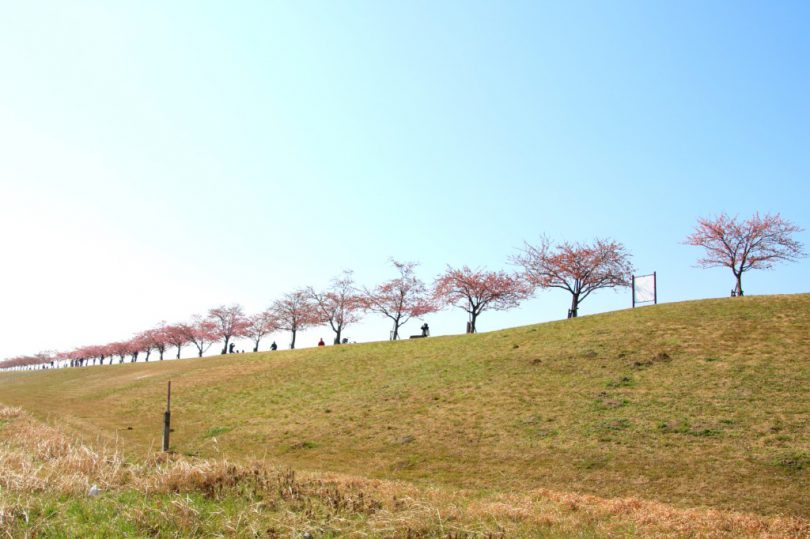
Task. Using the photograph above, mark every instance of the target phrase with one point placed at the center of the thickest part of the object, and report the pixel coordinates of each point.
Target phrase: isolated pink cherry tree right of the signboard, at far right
(756, 243)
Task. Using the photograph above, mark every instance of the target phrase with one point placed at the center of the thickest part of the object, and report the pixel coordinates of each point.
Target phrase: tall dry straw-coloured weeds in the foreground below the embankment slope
(36, 459)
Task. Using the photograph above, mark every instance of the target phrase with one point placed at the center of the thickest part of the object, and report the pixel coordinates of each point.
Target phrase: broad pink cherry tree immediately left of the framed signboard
(578, 268)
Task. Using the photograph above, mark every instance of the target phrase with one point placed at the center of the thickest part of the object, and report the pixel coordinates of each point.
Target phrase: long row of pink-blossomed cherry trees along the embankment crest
(578, 268)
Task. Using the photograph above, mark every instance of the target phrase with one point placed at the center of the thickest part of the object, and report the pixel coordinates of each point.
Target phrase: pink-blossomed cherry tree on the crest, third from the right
(475, 291)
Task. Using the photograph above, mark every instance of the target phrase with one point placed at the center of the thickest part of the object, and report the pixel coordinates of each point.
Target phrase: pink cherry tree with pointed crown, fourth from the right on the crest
(401, 298)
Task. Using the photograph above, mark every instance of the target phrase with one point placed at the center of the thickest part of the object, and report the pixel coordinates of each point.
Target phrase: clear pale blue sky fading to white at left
(161, 158)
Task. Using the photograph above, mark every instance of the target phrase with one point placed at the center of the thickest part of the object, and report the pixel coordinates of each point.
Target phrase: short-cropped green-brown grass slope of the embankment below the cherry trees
(696, 406)
